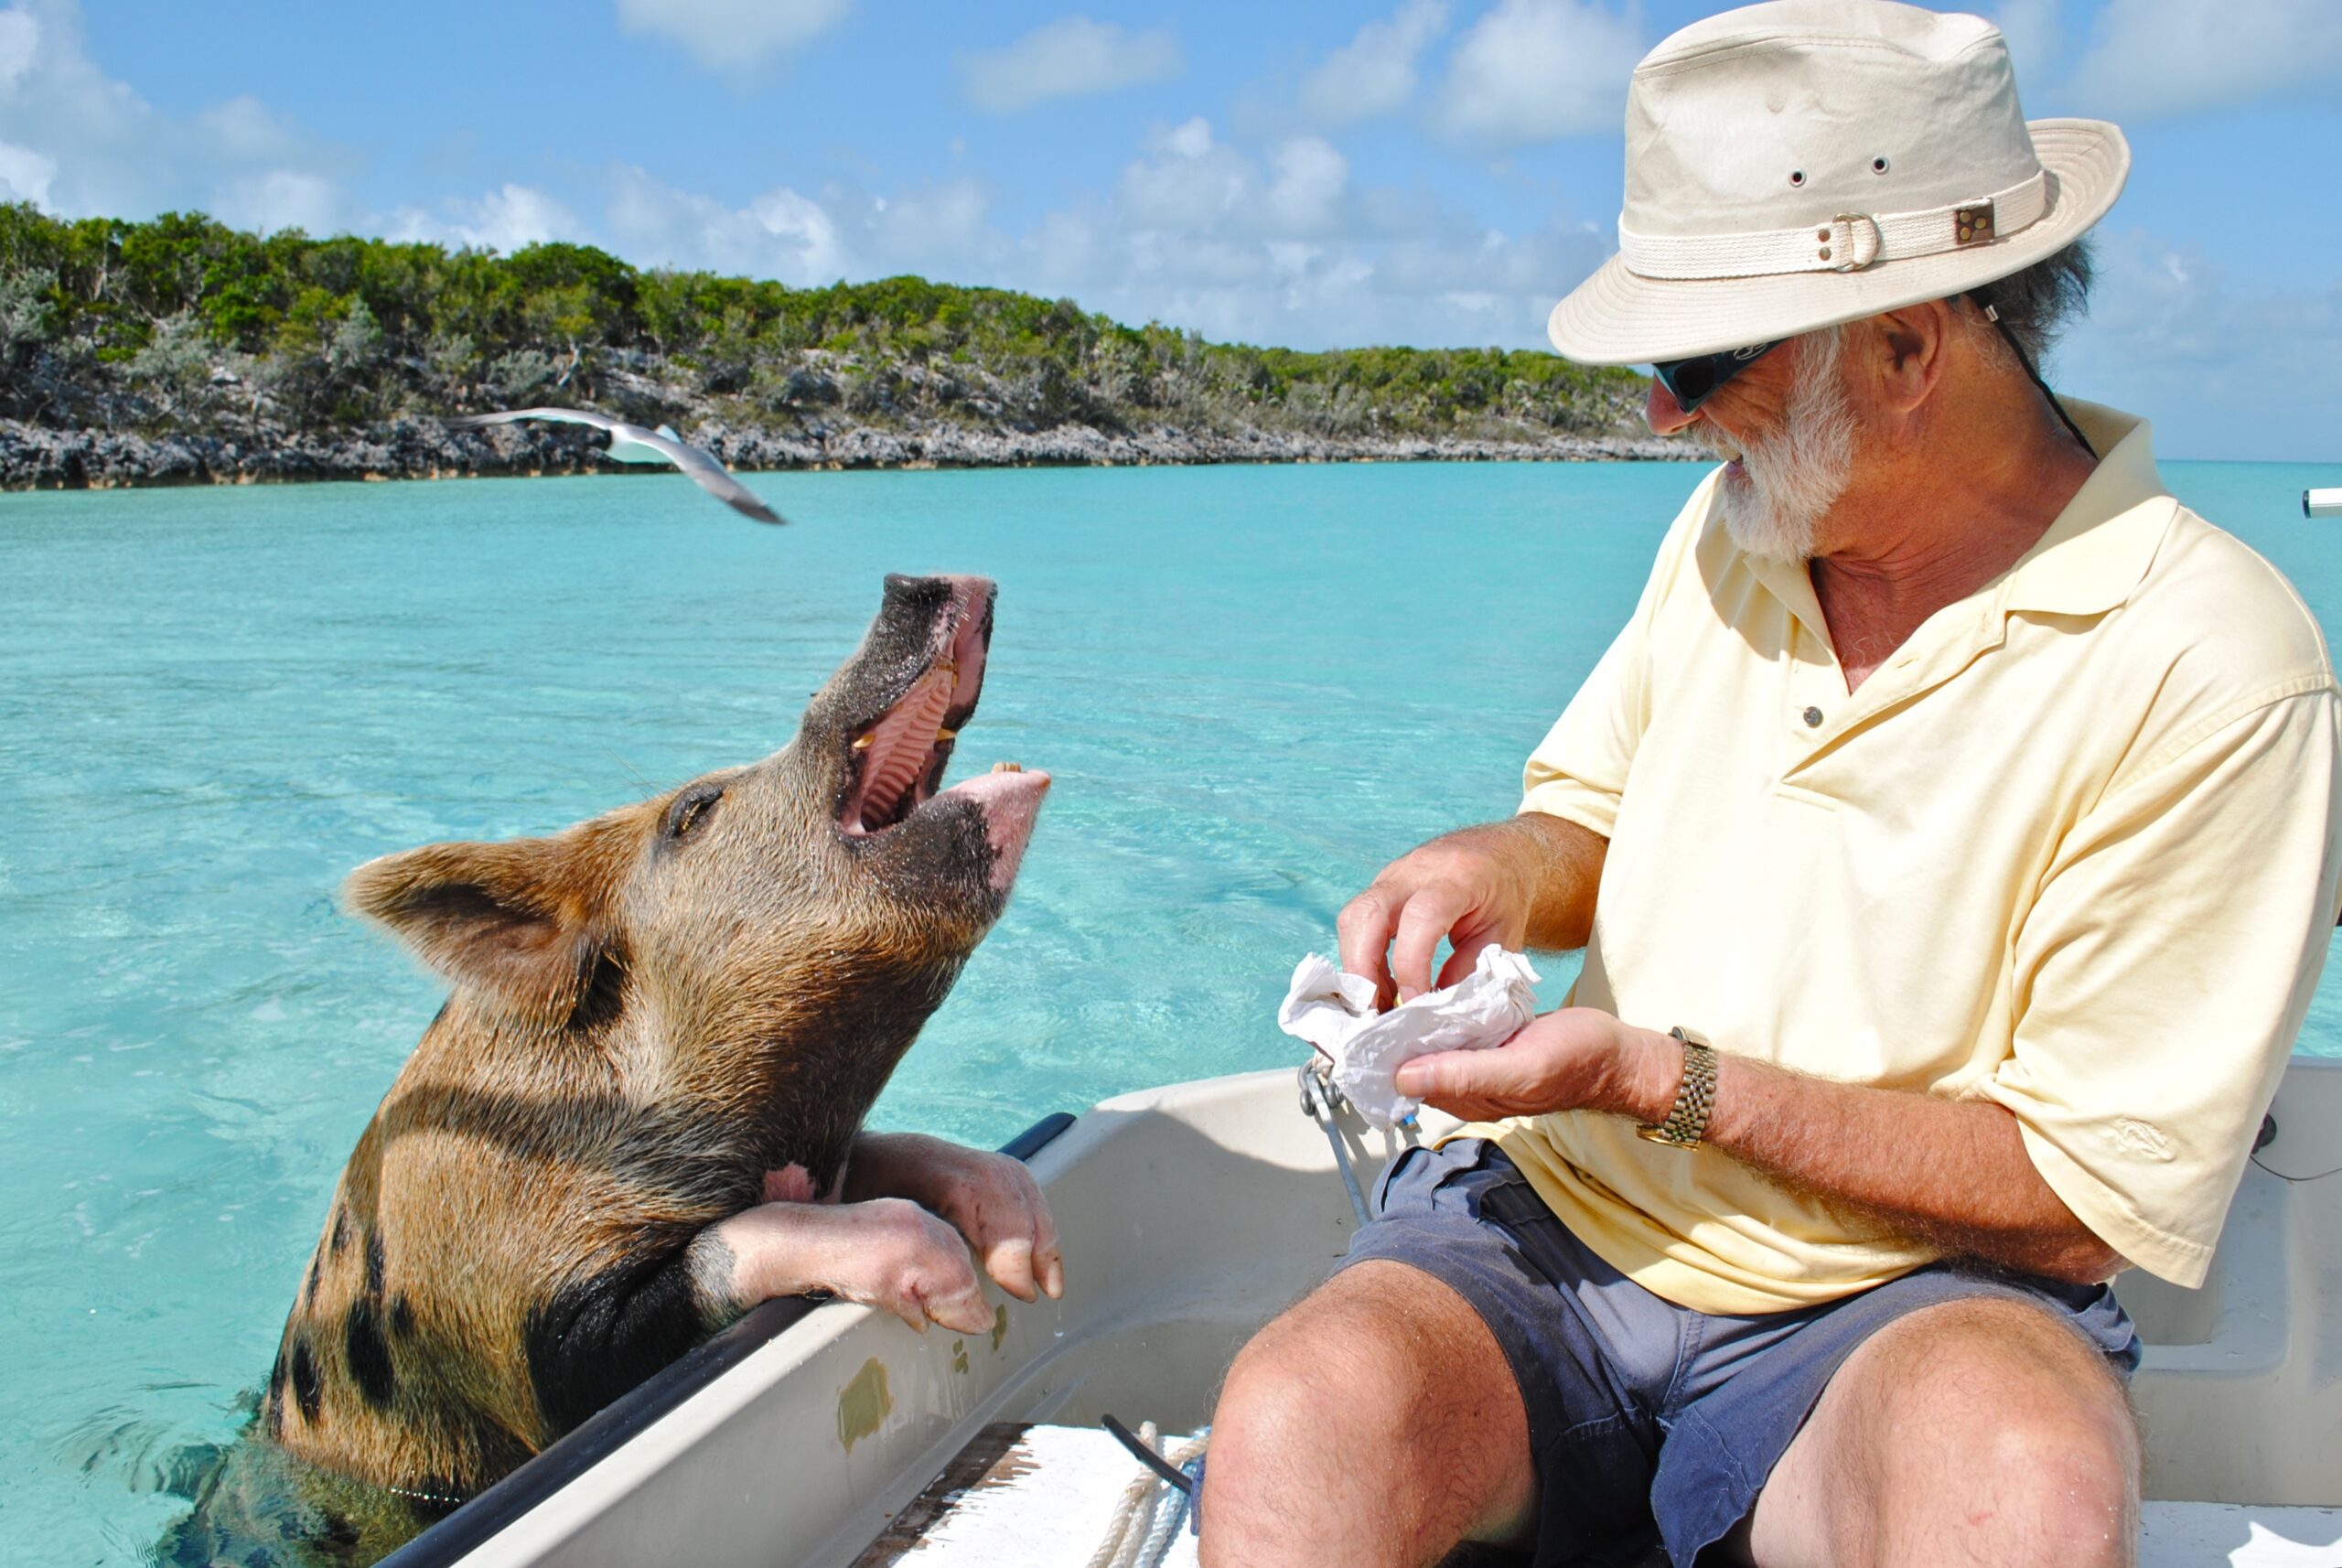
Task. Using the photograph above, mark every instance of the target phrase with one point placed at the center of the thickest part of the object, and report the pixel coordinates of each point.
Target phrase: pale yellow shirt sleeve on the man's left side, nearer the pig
(1580, 769)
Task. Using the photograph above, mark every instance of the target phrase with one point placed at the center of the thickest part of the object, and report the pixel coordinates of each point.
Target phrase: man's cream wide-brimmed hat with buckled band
(1809, 163)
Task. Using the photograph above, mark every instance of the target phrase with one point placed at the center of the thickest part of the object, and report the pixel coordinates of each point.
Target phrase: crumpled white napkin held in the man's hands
(1336, 1015)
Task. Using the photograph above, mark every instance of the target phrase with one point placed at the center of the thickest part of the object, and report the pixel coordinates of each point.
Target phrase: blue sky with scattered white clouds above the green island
(1425, 172)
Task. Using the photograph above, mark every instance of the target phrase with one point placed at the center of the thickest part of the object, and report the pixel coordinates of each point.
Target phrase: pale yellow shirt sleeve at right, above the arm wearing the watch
(2165, 972)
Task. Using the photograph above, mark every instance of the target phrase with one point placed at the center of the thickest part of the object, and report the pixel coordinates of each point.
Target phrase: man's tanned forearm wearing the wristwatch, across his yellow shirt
(1943, 1171)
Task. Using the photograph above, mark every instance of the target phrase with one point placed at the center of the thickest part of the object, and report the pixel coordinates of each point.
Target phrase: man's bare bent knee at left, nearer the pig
(1374, 1424)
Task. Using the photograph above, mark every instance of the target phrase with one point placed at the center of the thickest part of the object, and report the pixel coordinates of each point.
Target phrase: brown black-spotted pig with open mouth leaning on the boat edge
(641, 1108)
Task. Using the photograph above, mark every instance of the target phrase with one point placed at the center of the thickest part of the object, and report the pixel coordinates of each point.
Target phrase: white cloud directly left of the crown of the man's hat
(1540, 69)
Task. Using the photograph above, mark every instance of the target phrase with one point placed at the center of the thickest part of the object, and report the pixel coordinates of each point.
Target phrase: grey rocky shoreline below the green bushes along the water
(39, 458)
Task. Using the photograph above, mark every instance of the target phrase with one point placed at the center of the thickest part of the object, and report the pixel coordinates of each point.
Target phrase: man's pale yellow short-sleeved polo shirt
(2074, 851)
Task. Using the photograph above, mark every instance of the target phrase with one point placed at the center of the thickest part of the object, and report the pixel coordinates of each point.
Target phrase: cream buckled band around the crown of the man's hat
(1847, 242)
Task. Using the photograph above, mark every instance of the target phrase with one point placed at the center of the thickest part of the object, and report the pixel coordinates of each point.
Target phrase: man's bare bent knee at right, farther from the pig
(1964, 1433)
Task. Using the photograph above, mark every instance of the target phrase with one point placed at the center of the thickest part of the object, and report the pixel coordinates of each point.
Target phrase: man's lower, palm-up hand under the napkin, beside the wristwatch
(1563, 1061)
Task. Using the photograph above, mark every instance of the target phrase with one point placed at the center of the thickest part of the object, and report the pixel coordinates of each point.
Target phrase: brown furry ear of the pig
(523, 923)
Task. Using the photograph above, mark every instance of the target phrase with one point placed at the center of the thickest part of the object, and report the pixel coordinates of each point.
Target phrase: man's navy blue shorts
(1650, 1419)
